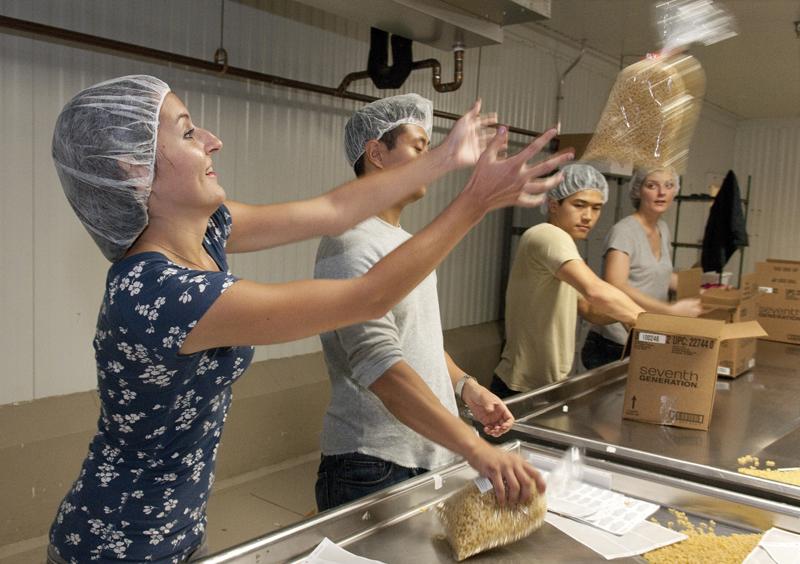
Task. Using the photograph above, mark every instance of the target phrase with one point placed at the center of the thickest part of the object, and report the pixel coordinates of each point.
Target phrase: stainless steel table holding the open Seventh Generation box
(757, 414)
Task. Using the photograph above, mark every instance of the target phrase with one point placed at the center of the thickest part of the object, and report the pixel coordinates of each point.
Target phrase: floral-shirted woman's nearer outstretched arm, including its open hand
(250, 313)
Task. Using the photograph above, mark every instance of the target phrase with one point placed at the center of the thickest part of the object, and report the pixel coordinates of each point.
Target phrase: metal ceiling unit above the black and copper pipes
(438, 23)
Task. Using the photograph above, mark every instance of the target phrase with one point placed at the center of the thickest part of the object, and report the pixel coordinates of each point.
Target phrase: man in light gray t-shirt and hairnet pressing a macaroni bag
(393, 410)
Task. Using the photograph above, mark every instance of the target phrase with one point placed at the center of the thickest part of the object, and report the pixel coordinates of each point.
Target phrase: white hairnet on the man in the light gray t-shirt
(375, 119)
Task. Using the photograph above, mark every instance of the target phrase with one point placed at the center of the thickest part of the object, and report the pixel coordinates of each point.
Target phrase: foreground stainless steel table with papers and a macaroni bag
(399, 525)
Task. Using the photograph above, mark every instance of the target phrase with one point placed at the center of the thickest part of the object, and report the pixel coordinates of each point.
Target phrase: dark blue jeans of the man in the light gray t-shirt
(342, 478)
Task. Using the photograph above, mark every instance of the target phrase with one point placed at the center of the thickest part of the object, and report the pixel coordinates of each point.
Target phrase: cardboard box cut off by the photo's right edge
(779, 299)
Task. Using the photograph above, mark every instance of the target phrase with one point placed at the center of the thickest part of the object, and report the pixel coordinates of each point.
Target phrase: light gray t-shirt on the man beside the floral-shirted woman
(356, 356)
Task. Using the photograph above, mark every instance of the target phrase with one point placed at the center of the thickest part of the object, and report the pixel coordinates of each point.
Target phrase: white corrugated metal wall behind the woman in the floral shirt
(280, 144)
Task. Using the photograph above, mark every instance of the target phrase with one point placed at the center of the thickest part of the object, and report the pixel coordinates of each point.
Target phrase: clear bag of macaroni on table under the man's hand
(473, 521)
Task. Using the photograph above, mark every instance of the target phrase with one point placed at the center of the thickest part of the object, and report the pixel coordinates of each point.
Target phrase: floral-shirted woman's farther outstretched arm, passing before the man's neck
(257, 227)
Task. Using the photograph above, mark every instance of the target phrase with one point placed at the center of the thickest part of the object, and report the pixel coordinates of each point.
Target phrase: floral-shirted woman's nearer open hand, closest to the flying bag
(499, 181)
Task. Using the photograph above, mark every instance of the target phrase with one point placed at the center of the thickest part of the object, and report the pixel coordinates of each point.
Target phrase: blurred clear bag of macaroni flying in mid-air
(654, 104)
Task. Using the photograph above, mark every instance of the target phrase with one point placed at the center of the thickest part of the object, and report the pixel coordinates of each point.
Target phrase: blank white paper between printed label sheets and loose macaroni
(646, 536)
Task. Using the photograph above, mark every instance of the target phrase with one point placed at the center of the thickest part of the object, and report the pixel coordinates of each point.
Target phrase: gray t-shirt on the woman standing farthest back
(647, 274)
